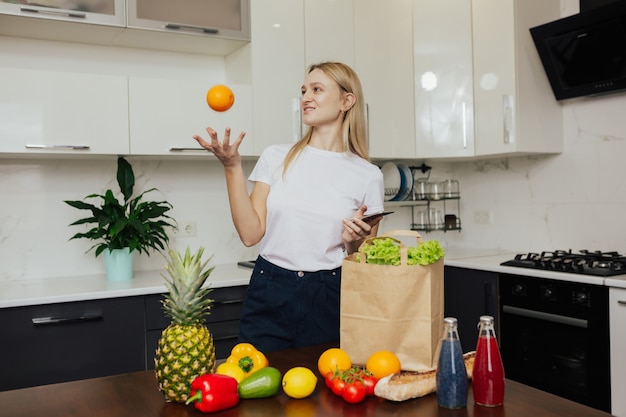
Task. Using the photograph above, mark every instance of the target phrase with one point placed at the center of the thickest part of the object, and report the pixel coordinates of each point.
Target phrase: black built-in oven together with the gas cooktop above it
(554, 333)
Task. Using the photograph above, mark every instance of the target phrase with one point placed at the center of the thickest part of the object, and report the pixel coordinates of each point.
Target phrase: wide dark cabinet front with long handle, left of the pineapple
(52, 343)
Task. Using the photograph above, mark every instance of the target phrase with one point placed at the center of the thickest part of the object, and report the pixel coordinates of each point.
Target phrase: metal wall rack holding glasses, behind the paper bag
(437, 210)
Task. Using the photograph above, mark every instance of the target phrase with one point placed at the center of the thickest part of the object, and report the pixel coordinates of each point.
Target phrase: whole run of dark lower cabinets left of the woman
(50, 343)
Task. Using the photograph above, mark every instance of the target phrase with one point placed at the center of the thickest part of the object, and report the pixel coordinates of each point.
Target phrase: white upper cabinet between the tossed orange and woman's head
(274, 66)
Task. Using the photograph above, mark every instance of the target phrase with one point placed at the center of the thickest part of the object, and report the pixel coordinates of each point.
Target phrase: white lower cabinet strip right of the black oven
(617, 324)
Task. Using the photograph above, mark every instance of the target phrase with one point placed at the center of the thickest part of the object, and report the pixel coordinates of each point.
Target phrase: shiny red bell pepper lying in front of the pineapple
(213, 392)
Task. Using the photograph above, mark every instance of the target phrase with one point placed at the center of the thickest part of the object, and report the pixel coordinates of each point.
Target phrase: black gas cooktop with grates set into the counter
(598, 263)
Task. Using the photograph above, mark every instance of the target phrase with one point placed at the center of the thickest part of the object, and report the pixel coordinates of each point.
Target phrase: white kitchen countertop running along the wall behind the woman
(15, 293)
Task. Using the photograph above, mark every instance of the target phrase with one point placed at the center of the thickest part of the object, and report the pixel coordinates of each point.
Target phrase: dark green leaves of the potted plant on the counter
(133, 223)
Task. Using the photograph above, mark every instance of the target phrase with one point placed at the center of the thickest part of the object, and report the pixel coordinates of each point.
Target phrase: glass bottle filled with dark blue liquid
(451, 372)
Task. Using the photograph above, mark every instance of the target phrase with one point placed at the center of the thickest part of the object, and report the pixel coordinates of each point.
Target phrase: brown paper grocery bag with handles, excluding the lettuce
(396, 308)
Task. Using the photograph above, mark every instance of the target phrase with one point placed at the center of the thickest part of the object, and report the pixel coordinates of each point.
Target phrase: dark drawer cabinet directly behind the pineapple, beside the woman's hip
(223, 322)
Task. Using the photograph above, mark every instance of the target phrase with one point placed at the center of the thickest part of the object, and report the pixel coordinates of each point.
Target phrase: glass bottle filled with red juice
(488, 371)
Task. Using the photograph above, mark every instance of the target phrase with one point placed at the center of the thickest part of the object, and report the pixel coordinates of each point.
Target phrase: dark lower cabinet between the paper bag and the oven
(469, 294)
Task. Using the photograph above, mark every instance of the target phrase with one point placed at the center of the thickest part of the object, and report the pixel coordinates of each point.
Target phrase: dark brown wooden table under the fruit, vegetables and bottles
(136, 395)
